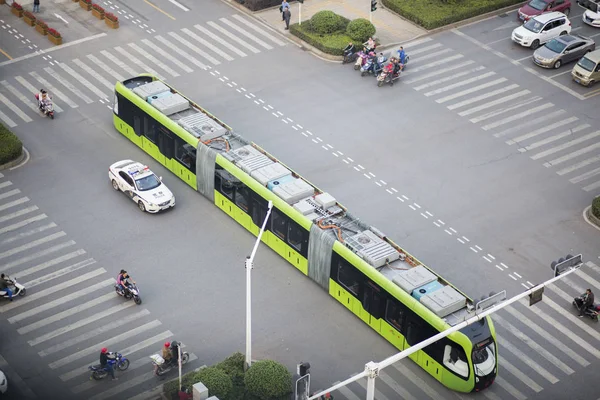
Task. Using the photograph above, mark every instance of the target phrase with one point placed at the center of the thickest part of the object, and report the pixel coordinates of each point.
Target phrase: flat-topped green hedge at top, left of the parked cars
(432, 14)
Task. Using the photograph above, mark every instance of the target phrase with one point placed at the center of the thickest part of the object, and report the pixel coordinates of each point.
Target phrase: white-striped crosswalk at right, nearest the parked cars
(528, 122)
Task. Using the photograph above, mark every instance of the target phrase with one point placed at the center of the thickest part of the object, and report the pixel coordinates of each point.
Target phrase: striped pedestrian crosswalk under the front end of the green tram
(538, 346)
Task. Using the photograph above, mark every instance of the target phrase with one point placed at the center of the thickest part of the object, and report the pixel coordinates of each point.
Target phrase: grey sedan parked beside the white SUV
(562, 50)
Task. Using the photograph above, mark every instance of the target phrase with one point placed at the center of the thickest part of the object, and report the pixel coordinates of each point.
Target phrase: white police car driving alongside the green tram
(141, 185)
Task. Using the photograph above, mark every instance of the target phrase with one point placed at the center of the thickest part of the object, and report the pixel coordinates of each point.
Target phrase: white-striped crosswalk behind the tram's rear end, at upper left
(90, 78)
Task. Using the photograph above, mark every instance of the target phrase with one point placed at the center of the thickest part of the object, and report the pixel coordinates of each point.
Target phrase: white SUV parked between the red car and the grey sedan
(541, 29)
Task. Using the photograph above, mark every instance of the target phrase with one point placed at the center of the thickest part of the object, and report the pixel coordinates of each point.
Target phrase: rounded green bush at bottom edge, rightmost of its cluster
(268, 379)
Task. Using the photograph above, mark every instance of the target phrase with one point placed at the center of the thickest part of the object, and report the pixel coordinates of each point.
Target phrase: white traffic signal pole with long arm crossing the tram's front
(372, 369)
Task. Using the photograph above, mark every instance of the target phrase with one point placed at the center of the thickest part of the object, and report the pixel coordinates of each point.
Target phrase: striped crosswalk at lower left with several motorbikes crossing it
(70, 309)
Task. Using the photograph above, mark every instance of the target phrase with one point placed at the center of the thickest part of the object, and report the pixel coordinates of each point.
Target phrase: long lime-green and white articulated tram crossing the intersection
(389, 289)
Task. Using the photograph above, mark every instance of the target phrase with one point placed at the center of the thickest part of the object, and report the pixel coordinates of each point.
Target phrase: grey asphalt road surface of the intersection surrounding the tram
(479, 211)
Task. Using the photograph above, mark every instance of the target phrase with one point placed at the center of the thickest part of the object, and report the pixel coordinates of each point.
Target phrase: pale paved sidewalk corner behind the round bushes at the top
(391, 29)
